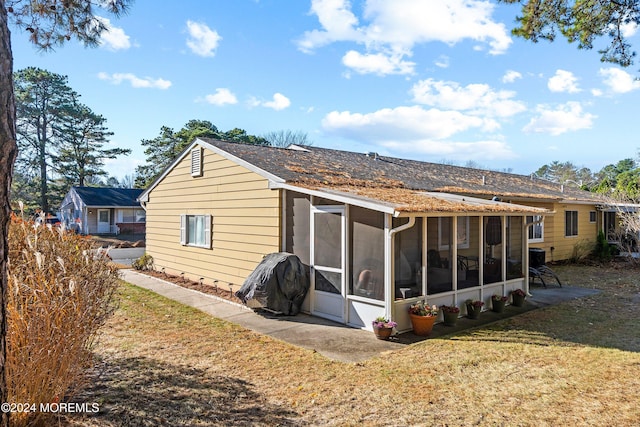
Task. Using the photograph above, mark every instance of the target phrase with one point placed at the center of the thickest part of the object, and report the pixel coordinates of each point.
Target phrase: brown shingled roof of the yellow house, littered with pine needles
(404, 183)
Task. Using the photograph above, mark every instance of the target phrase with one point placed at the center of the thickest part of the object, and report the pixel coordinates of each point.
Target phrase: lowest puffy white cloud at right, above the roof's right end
(565, 118)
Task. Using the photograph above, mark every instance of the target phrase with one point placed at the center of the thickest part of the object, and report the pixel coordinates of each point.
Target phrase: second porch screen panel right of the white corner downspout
(439, 250)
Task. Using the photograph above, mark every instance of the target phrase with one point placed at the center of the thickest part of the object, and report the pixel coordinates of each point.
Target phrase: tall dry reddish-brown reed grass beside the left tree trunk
(60, 293)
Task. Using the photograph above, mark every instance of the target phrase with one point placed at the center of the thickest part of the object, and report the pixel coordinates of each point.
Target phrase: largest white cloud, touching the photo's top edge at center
(394, 27)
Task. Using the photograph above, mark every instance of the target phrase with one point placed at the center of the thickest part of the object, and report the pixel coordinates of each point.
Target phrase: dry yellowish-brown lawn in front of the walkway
(161, 363)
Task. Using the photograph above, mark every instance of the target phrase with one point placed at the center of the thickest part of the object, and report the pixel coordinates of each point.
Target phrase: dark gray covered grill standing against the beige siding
(279, 283)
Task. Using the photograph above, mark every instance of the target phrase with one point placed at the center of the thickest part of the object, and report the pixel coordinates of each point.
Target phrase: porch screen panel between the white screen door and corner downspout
(367, 253)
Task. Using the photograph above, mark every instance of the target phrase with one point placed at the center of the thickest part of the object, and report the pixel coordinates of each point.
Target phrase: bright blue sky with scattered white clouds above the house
(434, 81)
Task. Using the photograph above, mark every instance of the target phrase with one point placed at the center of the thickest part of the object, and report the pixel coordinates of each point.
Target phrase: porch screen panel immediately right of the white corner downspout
(408, 260)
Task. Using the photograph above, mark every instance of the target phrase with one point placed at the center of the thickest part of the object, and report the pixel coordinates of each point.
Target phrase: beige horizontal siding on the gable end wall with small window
(246, 218)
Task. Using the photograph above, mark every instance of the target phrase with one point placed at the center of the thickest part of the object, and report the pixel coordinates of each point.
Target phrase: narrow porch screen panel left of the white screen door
(297, 226)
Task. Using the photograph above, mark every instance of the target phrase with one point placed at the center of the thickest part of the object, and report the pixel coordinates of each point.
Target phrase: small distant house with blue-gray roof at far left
(97, 210)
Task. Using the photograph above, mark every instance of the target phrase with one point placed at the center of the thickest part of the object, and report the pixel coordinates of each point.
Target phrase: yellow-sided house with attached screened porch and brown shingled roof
(377, 233)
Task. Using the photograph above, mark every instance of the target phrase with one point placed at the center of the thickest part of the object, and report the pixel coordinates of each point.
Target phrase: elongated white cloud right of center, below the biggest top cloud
(476, 99)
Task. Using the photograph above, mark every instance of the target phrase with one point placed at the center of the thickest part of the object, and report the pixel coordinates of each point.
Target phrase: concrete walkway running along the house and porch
(331, 339)
